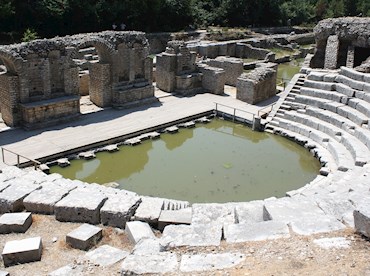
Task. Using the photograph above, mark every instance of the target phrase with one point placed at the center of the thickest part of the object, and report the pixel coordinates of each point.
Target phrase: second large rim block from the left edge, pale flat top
(43, 200)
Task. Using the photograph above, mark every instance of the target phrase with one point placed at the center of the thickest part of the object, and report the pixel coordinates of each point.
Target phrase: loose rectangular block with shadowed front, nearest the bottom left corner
(22, 251)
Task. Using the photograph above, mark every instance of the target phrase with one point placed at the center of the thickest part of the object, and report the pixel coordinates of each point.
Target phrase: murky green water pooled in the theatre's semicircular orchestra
(216, 162)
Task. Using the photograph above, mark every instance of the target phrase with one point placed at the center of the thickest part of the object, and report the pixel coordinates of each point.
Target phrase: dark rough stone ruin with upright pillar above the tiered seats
(341, 42)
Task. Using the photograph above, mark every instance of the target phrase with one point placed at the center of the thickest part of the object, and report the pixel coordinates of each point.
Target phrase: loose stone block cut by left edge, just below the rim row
(15, 222)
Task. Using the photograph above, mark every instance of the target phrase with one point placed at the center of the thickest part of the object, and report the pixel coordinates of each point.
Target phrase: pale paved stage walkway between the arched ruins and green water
(111, 123)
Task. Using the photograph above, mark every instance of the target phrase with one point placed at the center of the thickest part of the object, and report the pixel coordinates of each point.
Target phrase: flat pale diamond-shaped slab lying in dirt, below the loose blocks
(106, 255)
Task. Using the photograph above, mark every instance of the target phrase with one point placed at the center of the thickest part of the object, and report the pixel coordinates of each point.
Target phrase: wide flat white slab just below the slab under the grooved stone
(192, 235)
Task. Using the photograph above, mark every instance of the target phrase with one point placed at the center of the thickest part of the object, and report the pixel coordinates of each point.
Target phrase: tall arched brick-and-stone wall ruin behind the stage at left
(40, 83)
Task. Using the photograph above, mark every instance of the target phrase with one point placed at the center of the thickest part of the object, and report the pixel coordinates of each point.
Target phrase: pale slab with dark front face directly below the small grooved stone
(181, 216)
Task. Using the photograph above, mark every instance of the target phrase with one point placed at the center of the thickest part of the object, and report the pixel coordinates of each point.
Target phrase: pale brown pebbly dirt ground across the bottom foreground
(298, 255)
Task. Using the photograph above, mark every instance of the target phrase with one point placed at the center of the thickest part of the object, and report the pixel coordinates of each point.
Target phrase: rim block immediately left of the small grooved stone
(149, 209)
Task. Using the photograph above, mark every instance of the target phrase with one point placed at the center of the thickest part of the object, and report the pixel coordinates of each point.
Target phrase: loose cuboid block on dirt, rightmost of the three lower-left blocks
(84, 237)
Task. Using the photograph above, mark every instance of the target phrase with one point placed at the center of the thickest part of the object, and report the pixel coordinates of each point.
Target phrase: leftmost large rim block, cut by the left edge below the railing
(11, 199)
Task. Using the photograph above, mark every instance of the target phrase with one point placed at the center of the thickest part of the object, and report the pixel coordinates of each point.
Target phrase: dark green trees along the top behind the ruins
(61, 17)
